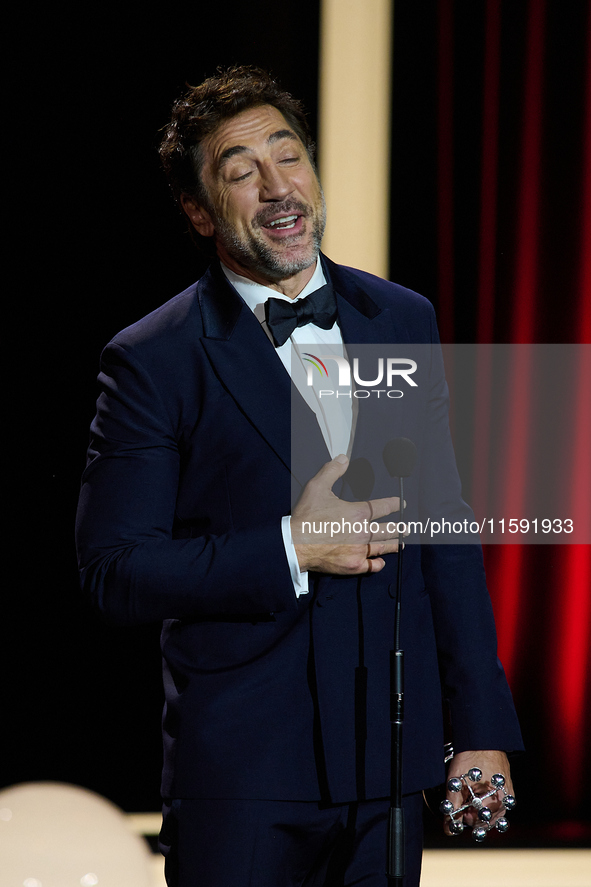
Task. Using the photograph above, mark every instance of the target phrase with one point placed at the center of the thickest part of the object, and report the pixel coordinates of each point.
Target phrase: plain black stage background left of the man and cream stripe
(100, 245)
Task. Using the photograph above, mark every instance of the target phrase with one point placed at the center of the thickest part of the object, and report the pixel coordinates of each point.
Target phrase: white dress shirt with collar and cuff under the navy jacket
(334, 414)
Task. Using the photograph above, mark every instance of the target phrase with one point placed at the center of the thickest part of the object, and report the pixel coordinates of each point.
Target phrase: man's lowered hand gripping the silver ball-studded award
(489, 762)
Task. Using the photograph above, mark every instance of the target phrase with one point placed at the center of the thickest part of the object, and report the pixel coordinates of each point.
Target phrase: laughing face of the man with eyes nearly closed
(266, 206)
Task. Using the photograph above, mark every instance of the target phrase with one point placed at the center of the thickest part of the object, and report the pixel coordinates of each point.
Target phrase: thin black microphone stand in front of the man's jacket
(396, 862)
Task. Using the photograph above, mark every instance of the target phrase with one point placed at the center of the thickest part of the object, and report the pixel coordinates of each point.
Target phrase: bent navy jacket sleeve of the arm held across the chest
(130, 563)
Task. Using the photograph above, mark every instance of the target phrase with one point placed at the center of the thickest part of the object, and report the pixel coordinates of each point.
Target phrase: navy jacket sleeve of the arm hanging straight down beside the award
(473, 680)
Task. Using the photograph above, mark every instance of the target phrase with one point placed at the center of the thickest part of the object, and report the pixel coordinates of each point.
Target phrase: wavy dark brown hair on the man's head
(201, 110)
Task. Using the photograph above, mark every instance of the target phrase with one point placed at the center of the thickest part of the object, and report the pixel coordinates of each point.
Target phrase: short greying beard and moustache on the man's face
(274, 262)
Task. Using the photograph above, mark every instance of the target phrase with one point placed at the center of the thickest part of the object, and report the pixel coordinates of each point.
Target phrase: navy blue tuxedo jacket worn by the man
(189, 474)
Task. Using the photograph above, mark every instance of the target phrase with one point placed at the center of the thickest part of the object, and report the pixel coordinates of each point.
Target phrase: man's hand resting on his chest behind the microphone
(334, 536)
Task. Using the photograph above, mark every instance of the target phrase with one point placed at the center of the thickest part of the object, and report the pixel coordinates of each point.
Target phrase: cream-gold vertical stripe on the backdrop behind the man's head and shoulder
(354, 130)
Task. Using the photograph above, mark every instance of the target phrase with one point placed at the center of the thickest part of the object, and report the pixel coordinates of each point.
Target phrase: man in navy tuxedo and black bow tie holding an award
(277, 764)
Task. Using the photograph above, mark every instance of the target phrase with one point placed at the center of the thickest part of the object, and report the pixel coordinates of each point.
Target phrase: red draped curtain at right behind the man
(531, 283)
